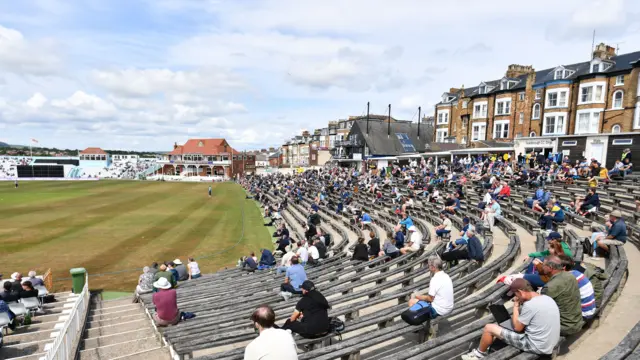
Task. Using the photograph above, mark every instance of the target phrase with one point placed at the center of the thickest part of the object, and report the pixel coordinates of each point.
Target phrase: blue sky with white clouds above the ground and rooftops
(144, 74)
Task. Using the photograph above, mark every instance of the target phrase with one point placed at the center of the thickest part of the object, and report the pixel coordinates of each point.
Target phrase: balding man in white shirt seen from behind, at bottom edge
(271, 344)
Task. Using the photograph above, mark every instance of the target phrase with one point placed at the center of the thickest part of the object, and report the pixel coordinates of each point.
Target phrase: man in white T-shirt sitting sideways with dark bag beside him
(440, 295)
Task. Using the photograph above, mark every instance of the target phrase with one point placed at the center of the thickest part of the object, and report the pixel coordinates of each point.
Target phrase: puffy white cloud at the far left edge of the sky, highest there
(20, 56)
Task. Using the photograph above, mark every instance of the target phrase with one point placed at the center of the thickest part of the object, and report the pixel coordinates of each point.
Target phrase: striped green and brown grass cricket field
(109, 226)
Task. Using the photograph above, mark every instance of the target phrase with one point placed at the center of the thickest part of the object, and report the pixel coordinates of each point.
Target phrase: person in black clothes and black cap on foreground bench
(312, 311)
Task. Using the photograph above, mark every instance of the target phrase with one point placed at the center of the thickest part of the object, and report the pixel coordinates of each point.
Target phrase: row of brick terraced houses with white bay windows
(592, 97)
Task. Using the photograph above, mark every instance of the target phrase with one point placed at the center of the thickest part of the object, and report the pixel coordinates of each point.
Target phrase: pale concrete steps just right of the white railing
(120, 329)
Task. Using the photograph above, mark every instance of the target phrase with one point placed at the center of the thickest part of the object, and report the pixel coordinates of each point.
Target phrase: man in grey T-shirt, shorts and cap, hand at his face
(535, 319)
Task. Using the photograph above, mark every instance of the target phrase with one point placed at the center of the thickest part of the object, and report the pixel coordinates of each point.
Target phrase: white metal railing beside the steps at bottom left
(67, 340)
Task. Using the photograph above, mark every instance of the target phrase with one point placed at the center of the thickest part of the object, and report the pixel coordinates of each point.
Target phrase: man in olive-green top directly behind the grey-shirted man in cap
(563, 288)
